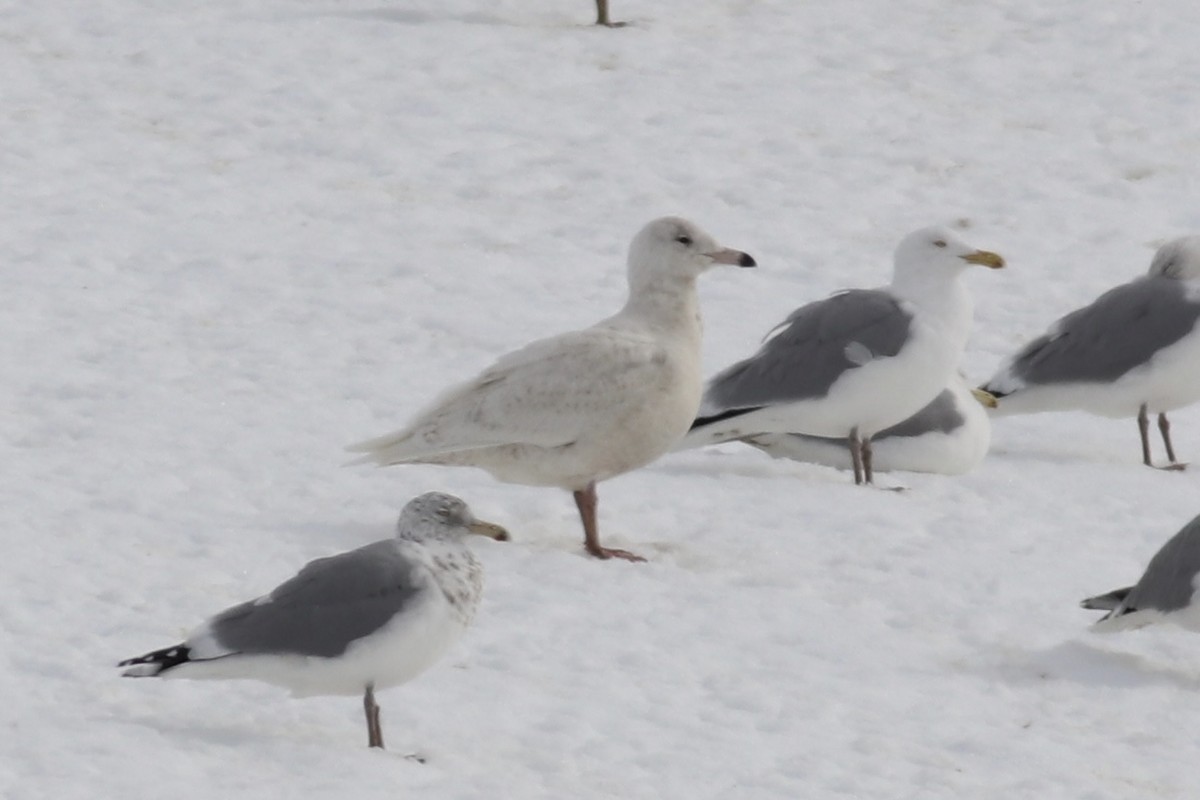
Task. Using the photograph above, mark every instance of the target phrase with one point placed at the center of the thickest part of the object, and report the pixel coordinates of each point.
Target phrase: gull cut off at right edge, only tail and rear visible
(1167, 592)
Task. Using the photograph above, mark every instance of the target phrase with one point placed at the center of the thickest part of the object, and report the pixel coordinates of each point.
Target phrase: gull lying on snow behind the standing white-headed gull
(949, 437)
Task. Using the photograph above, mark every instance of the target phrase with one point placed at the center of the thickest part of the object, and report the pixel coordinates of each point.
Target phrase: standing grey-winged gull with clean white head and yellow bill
(857, 363)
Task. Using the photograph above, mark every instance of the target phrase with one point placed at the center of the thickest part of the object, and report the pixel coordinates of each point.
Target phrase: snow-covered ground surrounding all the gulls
(237, 237)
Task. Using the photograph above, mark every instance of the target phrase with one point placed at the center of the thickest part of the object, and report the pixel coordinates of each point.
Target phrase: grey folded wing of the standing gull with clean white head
(809, 354)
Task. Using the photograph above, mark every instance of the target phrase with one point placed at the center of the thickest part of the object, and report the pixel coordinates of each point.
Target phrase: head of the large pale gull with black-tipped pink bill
(676, 248)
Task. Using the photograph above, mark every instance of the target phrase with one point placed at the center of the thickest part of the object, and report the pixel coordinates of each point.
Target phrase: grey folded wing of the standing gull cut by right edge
(1103, 341)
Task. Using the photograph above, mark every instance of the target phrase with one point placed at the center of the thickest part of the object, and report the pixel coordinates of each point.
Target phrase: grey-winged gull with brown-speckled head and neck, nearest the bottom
(368, 619)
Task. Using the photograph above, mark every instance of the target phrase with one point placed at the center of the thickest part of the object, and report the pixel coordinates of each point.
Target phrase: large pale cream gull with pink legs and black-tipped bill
(579, 408)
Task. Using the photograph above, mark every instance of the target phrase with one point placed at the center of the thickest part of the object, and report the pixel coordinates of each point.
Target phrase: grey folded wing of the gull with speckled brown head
(326, 607)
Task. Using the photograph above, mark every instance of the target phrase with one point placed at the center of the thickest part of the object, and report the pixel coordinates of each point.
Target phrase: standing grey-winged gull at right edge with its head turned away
(1133, 352)
